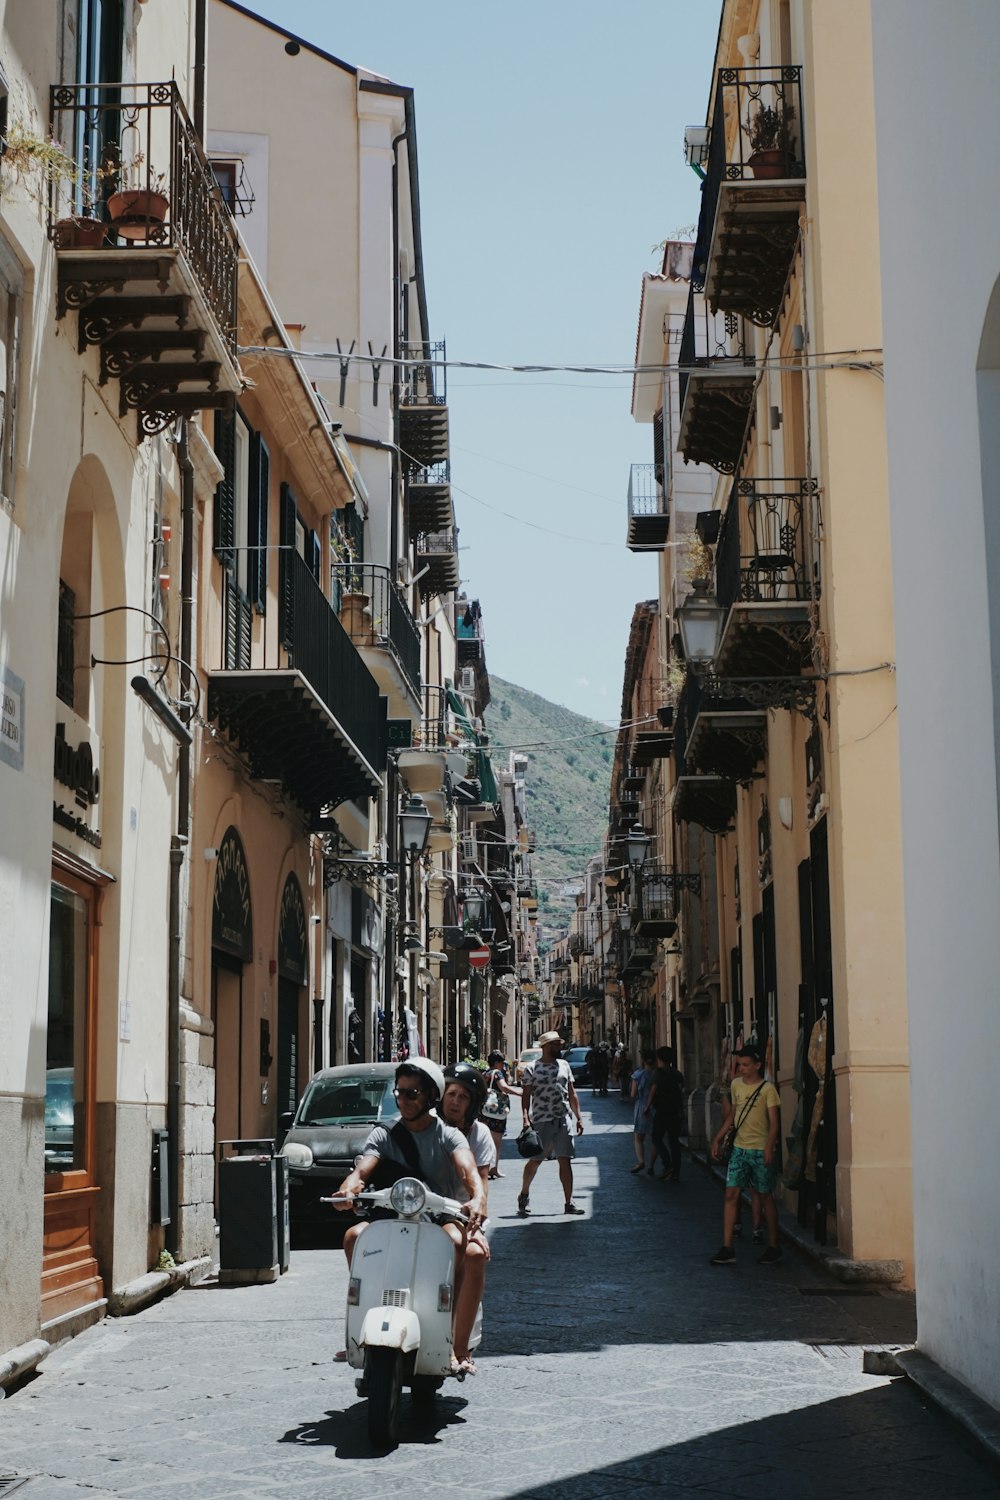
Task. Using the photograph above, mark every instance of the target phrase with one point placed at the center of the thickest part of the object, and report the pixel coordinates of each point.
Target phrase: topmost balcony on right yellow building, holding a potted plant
(753, 191)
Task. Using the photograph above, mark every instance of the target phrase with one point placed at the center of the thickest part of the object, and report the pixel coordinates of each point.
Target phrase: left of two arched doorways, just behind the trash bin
(232, 950)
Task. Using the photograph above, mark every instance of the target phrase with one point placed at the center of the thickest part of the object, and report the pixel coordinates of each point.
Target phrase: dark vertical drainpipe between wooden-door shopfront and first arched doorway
(179, 847)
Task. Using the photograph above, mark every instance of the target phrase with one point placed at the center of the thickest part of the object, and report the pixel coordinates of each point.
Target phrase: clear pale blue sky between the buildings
(551, 151)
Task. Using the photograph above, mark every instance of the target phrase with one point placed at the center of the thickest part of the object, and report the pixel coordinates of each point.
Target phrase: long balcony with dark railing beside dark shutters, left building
(298, 700)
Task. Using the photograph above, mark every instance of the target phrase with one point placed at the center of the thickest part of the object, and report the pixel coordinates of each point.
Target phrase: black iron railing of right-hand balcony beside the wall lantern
(768, 544)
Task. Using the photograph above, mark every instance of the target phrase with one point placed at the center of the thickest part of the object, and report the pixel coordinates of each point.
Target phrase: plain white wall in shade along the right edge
(938, 115)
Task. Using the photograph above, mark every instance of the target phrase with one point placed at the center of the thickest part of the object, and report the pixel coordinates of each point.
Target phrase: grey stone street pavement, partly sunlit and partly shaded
(615, 1363)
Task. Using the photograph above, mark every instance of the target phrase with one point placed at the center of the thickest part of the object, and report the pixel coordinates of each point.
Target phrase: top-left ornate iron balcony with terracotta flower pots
(146, 250)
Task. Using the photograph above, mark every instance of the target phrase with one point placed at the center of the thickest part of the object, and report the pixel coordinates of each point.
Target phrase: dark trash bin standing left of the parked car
(251, 1243)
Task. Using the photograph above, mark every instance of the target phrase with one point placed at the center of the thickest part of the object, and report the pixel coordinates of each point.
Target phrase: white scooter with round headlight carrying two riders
(401, 1300)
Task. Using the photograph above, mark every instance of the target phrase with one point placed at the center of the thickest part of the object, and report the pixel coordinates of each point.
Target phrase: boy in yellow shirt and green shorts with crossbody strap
(753, 1111)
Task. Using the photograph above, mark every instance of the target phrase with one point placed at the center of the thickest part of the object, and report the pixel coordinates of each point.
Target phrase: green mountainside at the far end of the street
(567, 790)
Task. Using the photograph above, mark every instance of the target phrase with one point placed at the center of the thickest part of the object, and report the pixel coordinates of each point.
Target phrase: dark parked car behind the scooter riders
(335, 1118)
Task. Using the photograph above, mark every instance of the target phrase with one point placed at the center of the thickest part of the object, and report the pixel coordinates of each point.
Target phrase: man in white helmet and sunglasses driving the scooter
(439, 1154)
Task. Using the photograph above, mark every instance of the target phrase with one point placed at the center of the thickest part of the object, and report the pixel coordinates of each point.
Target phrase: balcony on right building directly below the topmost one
(716, 386)
